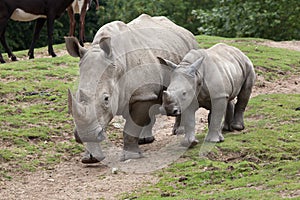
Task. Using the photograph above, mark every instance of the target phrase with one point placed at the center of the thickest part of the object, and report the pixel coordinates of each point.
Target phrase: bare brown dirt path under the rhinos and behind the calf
(74, 180)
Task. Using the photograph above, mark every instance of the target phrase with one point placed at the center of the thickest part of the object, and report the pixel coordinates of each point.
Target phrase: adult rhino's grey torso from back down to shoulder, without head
(136, 46)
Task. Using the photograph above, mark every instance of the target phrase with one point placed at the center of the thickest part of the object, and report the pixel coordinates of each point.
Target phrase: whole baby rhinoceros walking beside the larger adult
(211, 79)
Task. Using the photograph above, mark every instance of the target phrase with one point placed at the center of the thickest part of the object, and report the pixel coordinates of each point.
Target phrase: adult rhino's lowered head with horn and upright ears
(95, 102)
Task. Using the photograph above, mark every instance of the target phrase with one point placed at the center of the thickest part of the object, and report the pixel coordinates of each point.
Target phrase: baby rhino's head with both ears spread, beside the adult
(182, 91)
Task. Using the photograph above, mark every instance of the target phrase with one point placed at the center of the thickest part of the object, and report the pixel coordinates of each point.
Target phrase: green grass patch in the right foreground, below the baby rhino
(260, 162)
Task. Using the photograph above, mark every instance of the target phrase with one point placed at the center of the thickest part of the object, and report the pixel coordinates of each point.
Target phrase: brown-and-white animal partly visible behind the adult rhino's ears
(79, 7)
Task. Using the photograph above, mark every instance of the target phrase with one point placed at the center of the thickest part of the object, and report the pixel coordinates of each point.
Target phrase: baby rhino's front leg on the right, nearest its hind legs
(217, 113)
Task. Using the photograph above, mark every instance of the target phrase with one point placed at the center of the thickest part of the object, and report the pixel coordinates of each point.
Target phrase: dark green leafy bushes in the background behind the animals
(277, 20)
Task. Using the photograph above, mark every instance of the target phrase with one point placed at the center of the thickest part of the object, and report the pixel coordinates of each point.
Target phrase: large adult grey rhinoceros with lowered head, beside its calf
(120, 75)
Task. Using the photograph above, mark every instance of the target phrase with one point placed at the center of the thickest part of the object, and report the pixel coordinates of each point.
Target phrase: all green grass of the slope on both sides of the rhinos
(262, 161)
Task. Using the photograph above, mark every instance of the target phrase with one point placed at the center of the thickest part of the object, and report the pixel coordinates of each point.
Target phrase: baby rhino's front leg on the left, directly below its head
(188, 121)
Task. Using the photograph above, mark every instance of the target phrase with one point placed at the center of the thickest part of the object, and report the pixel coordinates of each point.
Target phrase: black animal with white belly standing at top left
(28, 10)
